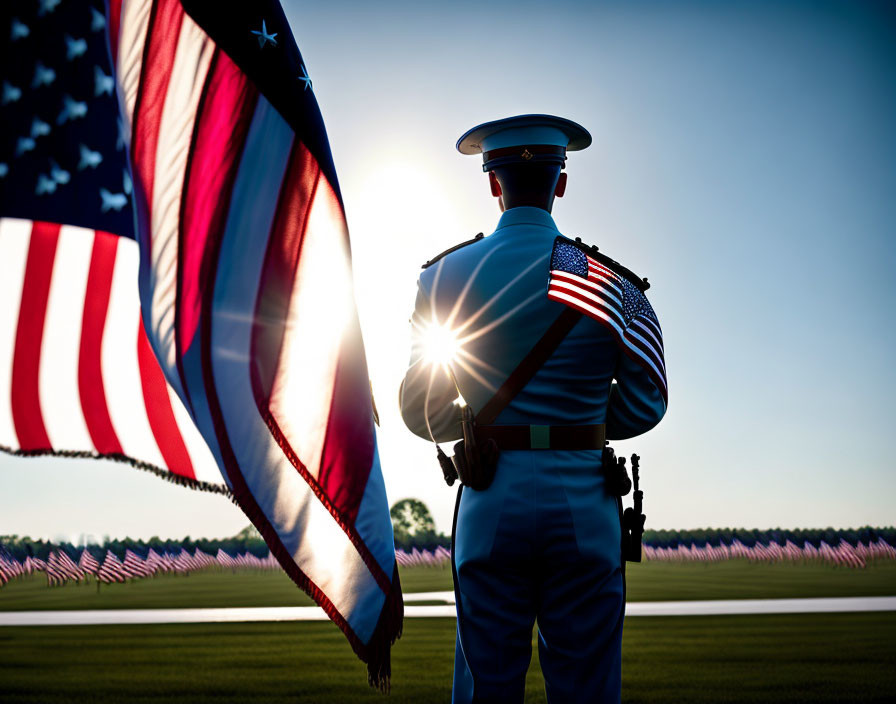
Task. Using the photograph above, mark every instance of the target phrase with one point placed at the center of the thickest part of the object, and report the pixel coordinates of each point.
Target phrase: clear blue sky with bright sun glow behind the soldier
(744, 160)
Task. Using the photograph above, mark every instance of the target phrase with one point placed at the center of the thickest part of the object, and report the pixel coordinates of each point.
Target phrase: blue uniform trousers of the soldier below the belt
(542, 543)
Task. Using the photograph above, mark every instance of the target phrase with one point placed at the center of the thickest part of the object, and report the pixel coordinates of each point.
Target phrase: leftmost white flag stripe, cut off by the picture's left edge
(15, 236)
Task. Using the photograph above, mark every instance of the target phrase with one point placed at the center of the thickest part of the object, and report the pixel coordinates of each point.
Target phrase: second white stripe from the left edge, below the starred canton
(60, 397)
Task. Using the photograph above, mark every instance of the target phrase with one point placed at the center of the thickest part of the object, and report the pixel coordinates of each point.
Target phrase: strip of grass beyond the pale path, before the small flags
(652, 581)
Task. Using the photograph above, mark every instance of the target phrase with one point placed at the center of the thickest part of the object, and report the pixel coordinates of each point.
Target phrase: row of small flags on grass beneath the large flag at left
(61, 568)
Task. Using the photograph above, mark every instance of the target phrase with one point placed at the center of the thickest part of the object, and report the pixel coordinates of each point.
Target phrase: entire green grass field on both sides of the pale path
(779, 658)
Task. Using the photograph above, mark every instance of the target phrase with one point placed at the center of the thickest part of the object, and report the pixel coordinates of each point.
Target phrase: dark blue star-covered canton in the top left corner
(62, 148)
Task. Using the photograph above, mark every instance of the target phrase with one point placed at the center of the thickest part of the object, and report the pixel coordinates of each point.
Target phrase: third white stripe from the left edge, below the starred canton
(121, 372)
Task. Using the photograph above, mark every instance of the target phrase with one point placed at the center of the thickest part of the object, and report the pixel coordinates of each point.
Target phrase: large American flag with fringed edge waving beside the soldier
(215, 159)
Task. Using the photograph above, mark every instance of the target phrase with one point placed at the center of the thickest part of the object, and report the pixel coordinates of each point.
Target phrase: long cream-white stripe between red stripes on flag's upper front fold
(191, 62)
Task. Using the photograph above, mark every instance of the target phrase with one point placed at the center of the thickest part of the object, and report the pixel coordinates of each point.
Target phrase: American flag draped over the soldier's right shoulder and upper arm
(593, 288)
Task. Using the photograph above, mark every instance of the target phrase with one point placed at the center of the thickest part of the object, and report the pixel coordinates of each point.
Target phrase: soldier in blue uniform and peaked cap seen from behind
(553, 348)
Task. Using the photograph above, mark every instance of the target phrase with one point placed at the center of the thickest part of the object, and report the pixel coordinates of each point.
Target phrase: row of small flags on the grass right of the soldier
(842, 555)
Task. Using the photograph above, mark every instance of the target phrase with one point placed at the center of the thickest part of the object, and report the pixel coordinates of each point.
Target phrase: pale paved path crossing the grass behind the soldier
(313, 613)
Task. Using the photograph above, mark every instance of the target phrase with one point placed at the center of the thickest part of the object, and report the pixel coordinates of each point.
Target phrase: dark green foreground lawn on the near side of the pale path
(792, 658)
